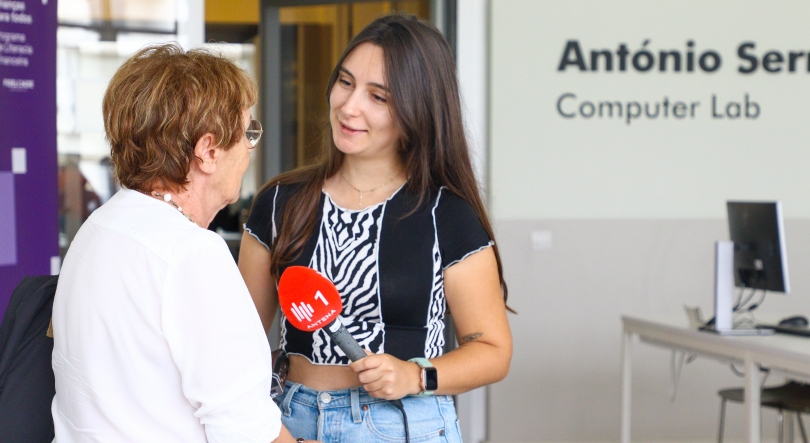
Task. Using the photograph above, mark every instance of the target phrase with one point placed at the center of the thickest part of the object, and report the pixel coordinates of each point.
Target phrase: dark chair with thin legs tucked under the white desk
(790, 397)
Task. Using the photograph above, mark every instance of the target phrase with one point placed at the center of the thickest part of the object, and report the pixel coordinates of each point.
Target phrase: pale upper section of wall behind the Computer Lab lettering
(662, 168)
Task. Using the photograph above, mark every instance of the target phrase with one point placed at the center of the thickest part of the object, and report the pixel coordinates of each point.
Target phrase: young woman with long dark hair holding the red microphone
(393, 216)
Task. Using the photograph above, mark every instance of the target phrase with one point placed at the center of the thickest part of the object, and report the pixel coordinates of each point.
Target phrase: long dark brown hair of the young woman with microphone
(421, 75)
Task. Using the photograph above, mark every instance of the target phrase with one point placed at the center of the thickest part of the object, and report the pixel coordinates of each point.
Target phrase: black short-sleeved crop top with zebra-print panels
(387, 265)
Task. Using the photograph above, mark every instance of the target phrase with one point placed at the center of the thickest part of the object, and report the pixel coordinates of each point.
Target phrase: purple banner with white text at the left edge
(28, 163)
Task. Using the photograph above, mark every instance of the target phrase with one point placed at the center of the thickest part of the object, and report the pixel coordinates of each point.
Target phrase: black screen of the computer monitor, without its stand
(758, 233)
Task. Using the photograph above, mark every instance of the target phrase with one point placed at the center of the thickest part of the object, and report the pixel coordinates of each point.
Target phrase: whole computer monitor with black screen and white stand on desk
(755, 258)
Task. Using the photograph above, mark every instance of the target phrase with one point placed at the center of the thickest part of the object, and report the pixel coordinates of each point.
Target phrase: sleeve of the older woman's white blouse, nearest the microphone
(218, 344)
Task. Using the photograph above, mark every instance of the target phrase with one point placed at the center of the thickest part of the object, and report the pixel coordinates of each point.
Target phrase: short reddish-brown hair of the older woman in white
(160, 102)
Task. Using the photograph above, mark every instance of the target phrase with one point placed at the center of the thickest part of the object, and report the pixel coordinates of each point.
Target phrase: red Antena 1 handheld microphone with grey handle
(311, 302)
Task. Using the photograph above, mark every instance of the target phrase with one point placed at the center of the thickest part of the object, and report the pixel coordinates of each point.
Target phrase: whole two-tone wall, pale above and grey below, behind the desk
(629, 213)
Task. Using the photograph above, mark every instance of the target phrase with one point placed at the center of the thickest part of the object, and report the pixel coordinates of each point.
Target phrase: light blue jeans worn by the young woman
(352, 415)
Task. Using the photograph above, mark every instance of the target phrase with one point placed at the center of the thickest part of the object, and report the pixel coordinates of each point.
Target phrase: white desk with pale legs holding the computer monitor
(784, 353)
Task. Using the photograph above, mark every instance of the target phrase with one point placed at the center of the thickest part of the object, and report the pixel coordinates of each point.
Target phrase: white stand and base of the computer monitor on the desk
(724, 293)
